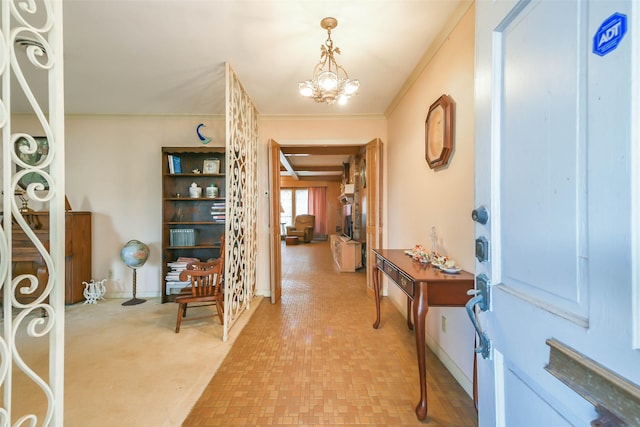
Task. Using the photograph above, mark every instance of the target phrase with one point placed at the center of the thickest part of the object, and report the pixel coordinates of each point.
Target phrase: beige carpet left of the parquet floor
(125, 365)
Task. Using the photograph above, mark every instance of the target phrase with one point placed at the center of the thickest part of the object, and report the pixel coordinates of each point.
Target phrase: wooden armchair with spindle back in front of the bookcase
(206, 279)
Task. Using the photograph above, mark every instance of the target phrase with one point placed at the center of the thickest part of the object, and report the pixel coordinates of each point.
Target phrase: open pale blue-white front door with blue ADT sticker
(556, 146)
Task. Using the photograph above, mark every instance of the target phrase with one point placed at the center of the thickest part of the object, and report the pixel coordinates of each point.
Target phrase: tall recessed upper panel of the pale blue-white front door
(542, 156)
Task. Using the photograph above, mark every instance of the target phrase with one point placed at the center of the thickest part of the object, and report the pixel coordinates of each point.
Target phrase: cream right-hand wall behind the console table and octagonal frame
(420, 198)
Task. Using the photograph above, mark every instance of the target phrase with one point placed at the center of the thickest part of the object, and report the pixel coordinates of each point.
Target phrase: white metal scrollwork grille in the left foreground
(32, 171)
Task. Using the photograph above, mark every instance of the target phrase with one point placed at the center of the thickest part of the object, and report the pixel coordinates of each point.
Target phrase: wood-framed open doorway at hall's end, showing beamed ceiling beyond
(345, 171)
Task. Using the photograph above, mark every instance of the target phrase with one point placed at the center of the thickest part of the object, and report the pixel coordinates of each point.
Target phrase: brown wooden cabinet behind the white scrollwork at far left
(26, 258)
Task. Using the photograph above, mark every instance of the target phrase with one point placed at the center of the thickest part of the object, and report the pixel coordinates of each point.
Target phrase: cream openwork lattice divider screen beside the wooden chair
(240, 239)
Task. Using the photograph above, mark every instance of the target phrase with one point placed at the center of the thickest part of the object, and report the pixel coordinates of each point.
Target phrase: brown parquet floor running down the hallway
(315, 360)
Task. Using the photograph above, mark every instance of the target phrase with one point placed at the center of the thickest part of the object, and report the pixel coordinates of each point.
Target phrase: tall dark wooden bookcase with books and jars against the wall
(191, 226)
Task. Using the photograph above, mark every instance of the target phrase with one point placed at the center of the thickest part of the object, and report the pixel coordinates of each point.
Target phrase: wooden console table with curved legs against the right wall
(424, 286)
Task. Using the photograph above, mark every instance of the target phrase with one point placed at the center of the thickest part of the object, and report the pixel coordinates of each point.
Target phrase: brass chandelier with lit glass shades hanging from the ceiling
(330, 82)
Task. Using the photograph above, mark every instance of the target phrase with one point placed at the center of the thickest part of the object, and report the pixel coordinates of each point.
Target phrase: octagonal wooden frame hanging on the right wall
(439, 132)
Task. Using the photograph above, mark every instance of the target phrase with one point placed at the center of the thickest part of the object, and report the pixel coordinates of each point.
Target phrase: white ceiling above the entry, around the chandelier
(168, 56)
